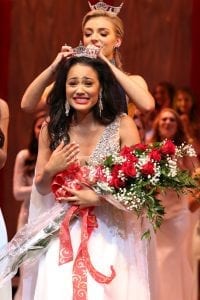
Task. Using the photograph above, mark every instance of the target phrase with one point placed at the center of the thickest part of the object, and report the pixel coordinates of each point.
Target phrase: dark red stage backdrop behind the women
(160, 43)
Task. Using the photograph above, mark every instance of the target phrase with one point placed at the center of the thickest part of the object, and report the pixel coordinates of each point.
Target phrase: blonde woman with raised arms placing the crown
(105, 31)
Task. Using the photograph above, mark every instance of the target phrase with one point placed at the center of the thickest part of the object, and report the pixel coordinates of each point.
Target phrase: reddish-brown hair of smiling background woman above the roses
(179, 136)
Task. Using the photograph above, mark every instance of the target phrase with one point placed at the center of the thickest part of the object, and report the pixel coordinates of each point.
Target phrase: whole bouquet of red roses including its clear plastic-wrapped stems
(129, 180)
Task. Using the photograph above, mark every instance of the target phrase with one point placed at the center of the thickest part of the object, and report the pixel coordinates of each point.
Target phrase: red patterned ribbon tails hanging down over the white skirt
(82, 262)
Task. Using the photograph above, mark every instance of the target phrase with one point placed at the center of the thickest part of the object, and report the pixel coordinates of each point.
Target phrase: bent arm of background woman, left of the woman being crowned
(21, 190)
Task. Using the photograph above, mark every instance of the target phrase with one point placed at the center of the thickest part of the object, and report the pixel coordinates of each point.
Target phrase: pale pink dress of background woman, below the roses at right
(175, 271)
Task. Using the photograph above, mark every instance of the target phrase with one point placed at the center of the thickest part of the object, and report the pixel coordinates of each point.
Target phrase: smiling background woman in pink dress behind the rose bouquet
(173, 238)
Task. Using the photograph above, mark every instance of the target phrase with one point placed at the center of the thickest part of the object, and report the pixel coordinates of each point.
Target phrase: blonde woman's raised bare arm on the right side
(134, 86)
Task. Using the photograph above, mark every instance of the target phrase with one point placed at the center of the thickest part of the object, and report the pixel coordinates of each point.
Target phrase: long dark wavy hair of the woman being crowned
(59, 123)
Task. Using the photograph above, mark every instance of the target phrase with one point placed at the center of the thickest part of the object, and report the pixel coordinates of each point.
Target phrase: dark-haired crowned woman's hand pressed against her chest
(62, 157)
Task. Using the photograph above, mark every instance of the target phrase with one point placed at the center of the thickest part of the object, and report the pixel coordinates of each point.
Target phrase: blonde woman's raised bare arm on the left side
(36, 89)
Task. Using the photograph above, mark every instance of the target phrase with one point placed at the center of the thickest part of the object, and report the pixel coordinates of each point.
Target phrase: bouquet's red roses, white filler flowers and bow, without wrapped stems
(132, 178)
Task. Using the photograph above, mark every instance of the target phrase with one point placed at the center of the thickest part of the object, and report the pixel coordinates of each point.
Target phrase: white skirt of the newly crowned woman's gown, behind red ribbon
(124, 250)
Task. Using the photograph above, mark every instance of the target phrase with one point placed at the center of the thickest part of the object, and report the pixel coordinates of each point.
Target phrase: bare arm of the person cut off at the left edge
(4, 121)
